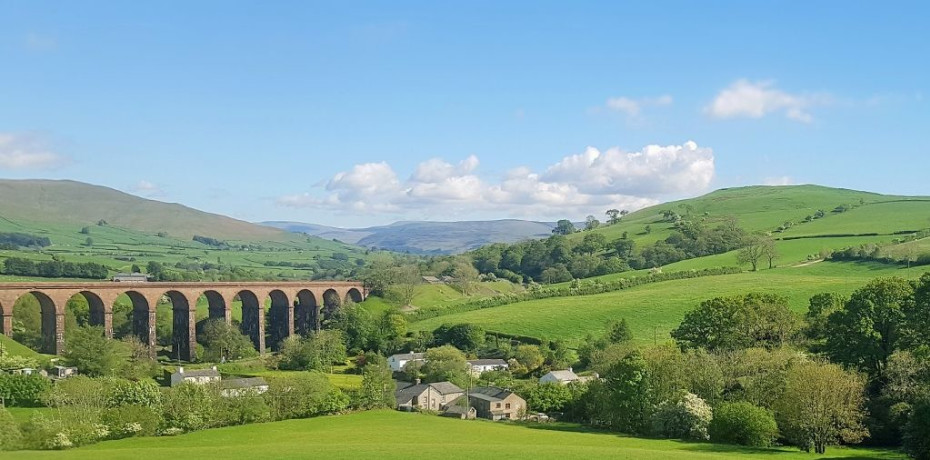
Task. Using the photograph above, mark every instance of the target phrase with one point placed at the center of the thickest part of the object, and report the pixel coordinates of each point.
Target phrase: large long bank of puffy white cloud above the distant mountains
(575, 186)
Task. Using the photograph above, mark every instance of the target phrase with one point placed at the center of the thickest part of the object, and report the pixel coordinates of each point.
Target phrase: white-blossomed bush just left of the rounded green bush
(685, 417)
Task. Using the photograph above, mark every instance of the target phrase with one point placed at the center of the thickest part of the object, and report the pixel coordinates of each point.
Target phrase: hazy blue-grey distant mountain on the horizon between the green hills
(427, 237)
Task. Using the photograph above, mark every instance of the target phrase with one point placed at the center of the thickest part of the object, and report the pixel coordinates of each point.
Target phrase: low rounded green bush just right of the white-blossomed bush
(743, 423)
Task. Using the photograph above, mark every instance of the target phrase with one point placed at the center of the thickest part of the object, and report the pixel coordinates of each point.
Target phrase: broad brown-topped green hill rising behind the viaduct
(89, 223)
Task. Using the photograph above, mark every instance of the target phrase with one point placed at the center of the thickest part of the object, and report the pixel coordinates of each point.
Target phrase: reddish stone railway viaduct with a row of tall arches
(292, 307)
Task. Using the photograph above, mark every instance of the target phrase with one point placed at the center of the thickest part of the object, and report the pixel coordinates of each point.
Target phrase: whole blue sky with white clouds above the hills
(382, 111)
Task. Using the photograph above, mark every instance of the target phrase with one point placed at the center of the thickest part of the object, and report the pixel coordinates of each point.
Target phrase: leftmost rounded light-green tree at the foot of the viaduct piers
(93, 354)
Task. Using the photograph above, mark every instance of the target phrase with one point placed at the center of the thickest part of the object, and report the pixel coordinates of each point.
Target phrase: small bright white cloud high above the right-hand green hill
(749, 99)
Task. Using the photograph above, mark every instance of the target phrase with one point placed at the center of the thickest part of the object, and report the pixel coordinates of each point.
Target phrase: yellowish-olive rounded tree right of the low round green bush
(822, 405)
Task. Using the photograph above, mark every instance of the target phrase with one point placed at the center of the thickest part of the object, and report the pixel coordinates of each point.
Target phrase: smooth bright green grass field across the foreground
(389, 435)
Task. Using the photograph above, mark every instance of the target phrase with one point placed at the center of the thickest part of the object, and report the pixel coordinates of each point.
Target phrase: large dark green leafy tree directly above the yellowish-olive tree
(869, 327)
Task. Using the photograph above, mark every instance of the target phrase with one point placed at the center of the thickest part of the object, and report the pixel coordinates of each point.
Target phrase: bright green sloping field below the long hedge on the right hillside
(653, 310)
